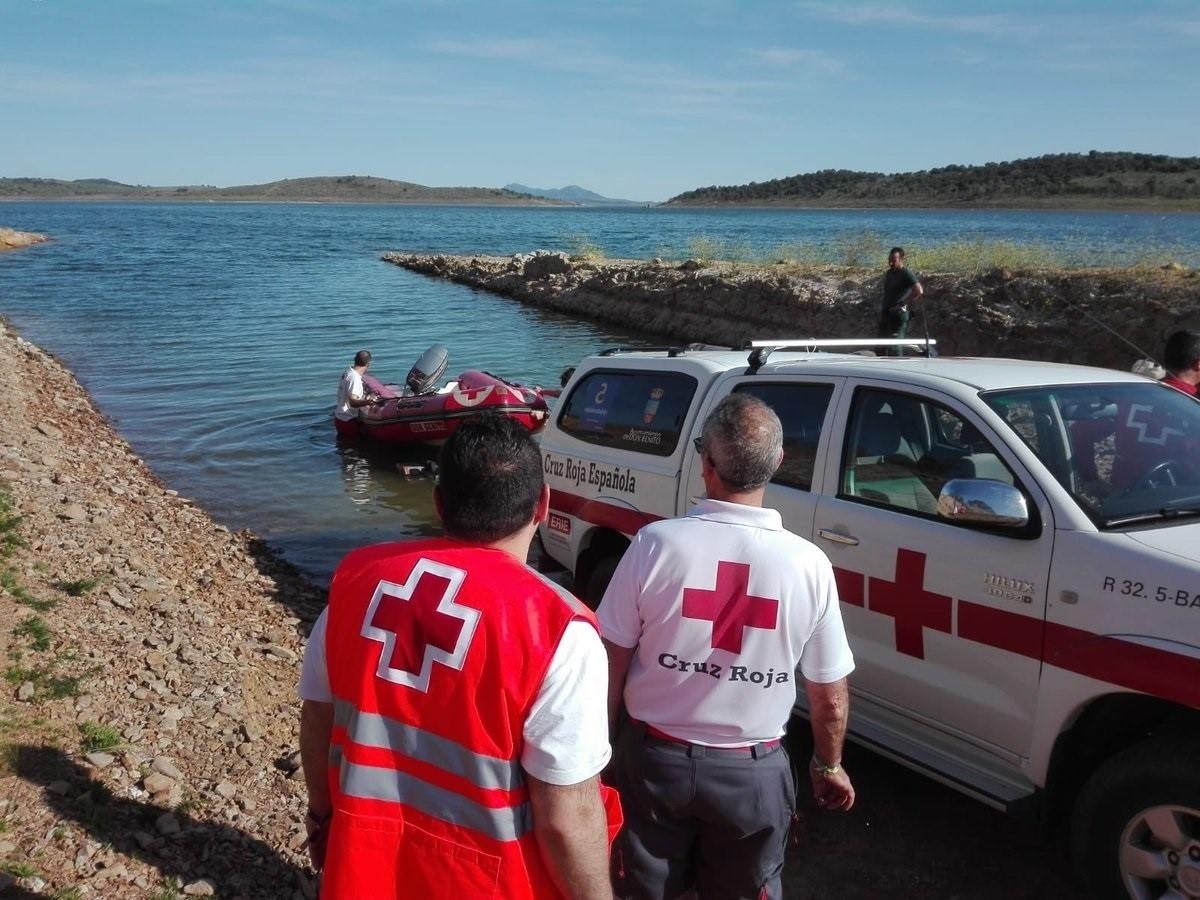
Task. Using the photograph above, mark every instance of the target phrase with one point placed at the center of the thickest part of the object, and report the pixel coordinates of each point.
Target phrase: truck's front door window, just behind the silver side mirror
(902, 451)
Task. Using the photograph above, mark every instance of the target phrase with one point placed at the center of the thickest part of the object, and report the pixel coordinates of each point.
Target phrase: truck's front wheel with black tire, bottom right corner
(1136, 832)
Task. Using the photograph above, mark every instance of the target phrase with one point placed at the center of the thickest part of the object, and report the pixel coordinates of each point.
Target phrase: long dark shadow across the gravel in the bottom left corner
(238, 865)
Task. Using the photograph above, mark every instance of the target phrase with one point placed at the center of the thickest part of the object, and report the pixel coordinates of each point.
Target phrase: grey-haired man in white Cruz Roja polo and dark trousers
(710, 621)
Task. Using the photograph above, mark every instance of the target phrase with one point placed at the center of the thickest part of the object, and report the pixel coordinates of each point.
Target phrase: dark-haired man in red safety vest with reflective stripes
(453, 728)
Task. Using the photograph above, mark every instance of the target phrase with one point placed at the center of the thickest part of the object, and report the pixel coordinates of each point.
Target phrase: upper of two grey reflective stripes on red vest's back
(380, 731)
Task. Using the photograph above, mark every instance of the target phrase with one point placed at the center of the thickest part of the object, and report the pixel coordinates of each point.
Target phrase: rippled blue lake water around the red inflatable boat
(214, 334)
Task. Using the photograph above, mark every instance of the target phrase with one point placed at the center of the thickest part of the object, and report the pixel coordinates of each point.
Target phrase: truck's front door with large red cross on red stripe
(946, 620)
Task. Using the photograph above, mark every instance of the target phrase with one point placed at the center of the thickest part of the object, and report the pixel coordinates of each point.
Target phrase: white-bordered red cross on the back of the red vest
(419, 625)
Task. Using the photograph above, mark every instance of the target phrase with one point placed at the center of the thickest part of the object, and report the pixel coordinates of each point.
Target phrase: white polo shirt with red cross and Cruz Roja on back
(723, 607)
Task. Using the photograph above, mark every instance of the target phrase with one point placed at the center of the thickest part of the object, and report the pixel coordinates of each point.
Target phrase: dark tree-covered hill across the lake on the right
(1070, 181)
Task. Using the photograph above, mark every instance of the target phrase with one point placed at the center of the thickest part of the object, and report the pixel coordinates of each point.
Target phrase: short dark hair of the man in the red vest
(489, 479)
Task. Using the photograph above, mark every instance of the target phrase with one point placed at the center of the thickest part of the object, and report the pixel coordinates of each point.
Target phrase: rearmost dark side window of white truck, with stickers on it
(643, 412)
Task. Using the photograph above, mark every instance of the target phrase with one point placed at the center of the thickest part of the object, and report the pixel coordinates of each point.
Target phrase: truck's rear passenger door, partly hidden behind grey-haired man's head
(805, 406)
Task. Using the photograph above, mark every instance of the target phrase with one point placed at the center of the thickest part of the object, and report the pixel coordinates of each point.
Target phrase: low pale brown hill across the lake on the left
(334, 189)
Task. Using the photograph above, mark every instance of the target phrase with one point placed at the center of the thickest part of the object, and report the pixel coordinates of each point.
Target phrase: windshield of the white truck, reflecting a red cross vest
(1127, 453)
